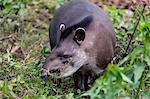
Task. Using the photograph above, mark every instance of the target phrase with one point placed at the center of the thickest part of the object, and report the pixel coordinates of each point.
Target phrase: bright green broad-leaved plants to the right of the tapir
(127, 79)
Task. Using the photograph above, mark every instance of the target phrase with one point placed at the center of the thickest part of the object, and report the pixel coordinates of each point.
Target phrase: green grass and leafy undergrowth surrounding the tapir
(26, 23)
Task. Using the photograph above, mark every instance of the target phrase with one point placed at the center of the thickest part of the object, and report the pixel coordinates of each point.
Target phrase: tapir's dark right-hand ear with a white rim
(79, 35)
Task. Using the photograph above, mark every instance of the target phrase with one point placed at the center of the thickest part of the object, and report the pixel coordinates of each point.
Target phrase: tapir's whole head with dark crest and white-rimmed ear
(68, 55)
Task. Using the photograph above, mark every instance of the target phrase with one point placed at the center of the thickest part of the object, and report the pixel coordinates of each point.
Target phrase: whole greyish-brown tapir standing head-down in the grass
(82, 41)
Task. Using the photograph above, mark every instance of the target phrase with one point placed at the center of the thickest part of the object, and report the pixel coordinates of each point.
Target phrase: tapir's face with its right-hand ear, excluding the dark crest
(67, 56)
